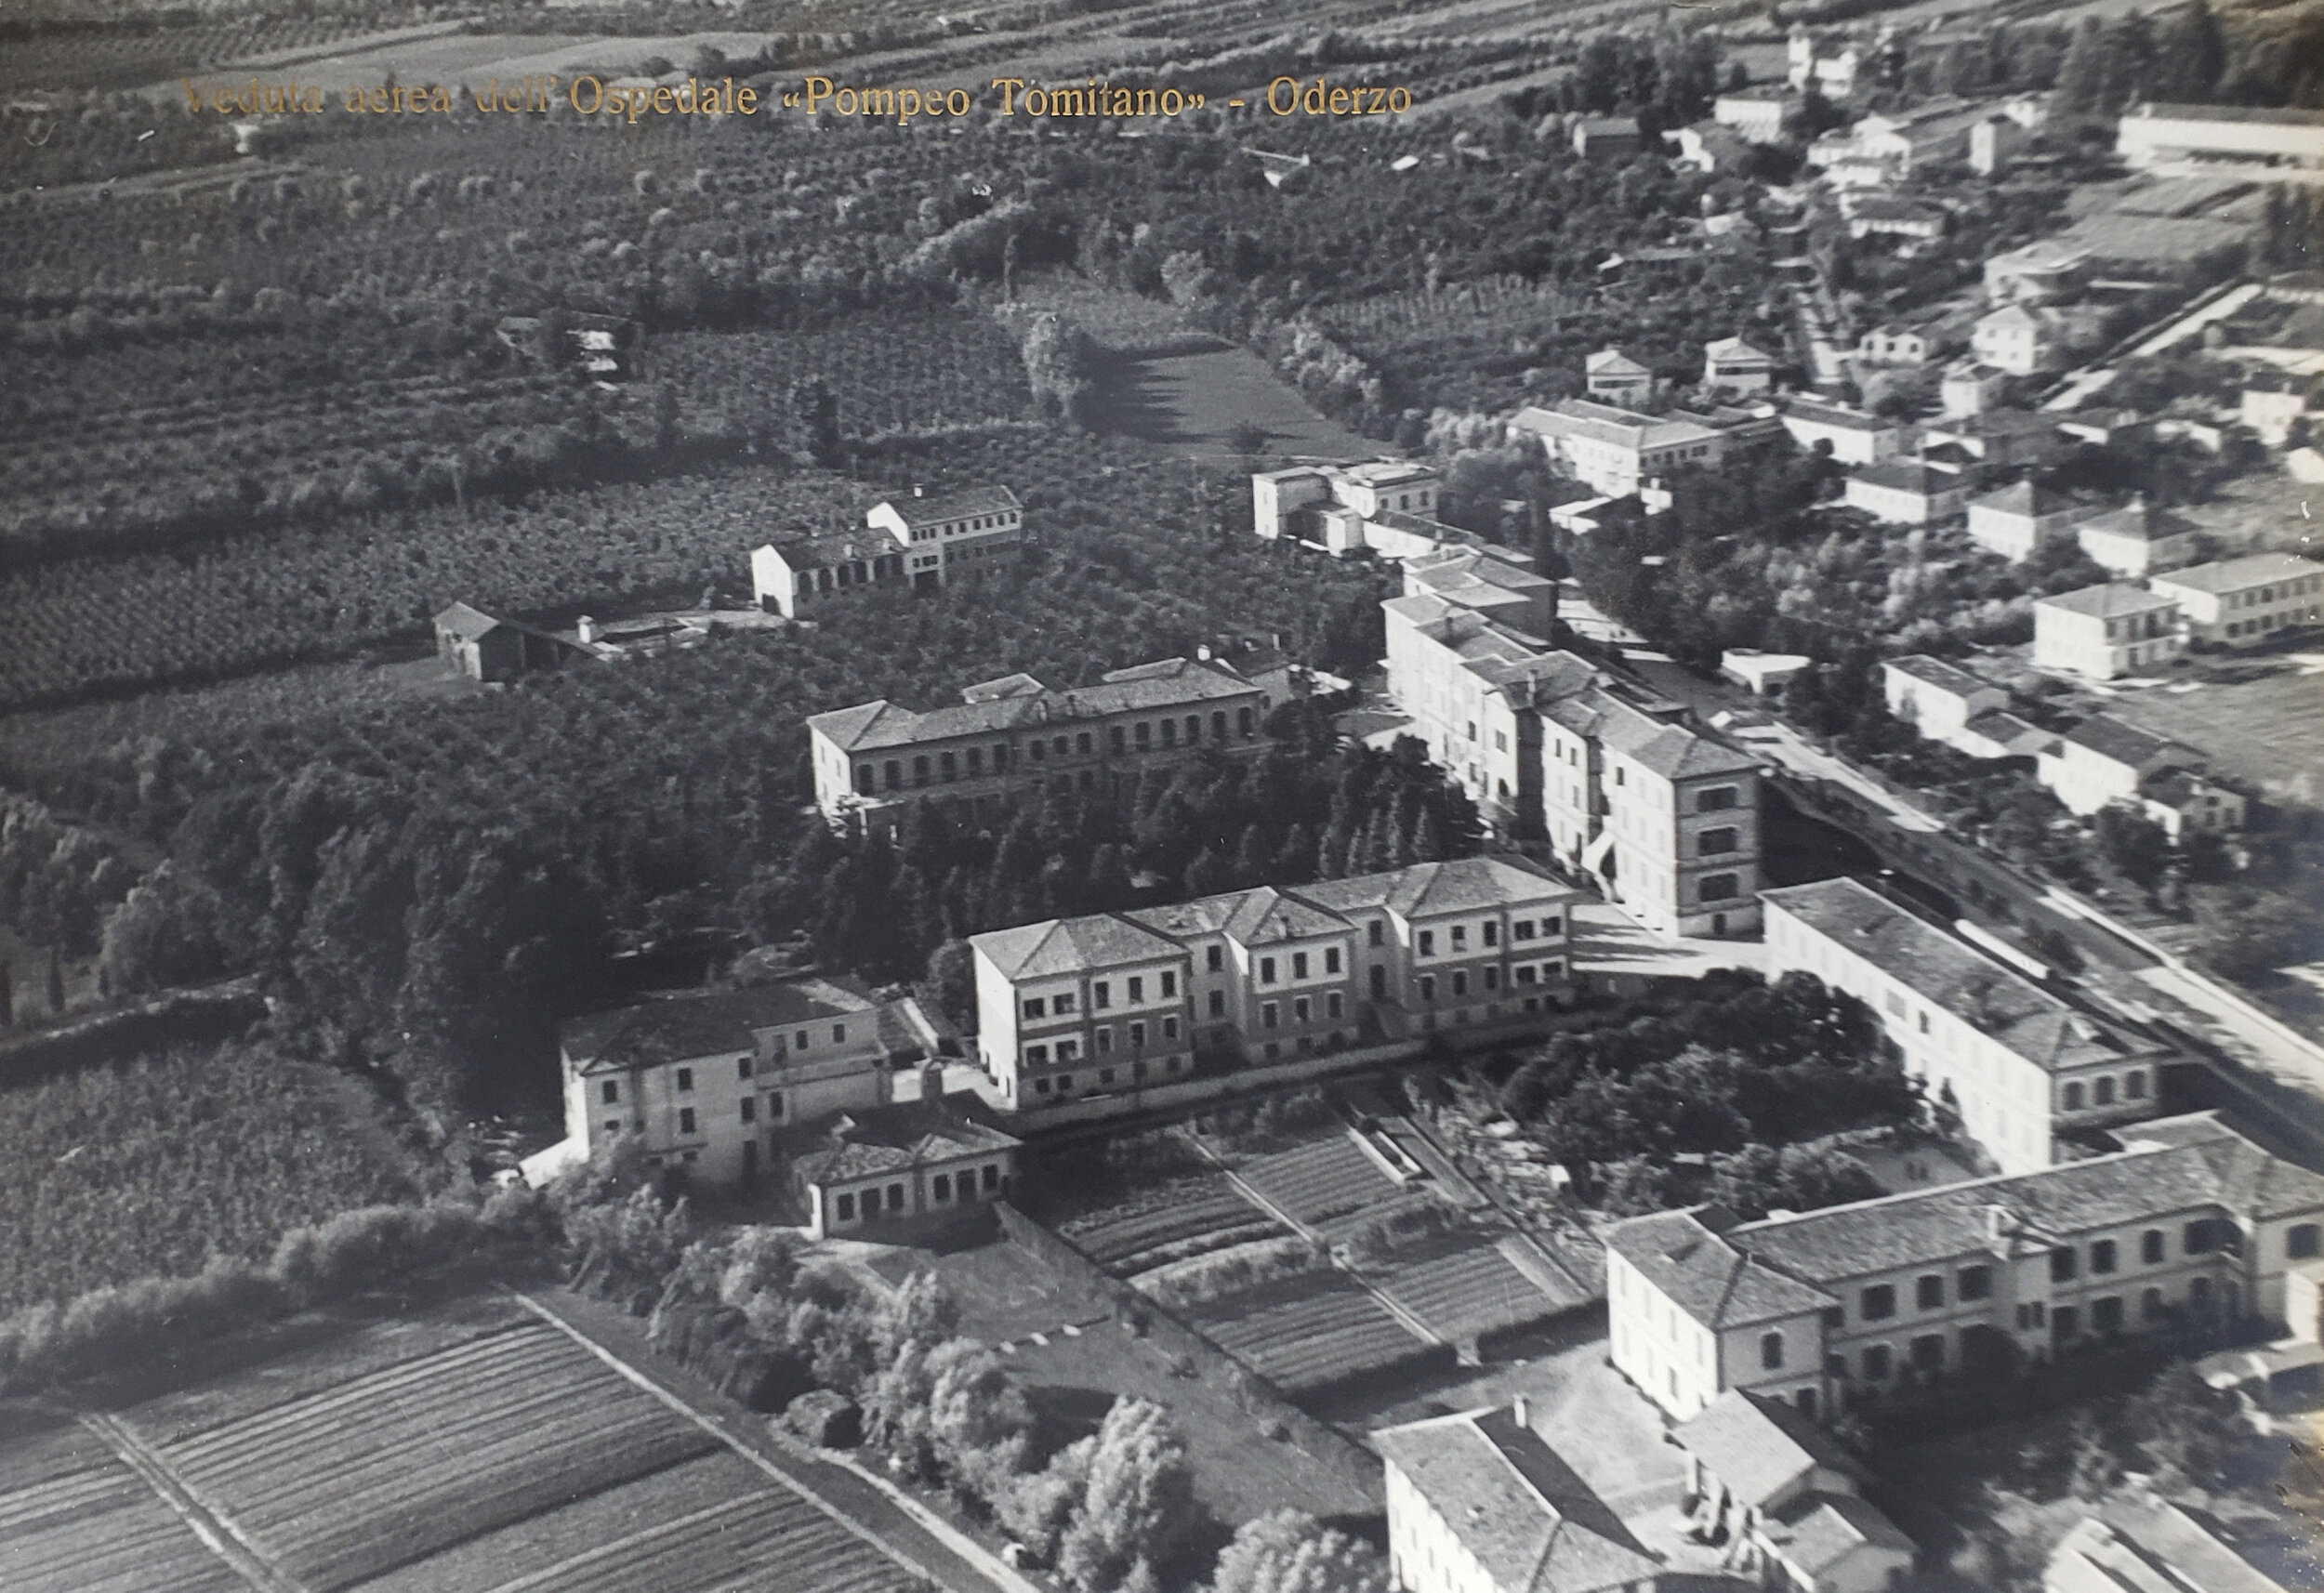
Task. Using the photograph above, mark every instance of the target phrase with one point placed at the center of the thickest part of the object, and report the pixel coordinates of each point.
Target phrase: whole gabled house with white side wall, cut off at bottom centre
(1479, 1504)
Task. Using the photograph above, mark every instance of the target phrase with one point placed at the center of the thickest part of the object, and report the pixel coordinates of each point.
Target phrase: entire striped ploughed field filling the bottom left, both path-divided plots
(475, 1450)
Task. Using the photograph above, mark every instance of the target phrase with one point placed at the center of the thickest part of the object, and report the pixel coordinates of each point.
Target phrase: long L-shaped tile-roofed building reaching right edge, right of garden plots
(2188, 1225)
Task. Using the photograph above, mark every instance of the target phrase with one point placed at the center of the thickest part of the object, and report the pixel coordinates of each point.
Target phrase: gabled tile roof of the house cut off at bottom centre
(1516, 1506)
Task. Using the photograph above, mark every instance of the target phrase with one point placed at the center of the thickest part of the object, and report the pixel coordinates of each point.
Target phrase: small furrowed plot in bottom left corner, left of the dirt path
(76, 1520)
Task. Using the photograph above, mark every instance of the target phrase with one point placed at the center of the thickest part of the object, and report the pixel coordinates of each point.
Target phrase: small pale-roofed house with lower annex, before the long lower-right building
(1786, 1499)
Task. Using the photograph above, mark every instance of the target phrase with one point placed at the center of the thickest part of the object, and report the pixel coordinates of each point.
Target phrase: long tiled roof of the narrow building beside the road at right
(1951, 974)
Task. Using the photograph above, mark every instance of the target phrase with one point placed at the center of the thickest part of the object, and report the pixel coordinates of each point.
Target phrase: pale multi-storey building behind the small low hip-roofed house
(710, 1081)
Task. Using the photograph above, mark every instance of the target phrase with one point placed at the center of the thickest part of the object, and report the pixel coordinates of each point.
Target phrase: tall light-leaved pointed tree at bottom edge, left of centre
(1138, 1508)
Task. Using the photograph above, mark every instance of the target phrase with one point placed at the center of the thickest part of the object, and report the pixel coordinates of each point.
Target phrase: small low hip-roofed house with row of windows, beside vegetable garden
(891, 1165)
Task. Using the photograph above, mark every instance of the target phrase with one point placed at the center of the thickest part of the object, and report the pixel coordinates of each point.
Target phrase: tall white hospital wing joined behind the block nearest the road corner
(1470, 686)
